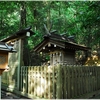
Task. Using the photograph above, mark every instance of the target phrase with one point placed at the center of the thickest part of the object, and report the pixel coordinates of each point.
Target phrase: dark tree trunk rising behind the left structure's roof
(23, 24)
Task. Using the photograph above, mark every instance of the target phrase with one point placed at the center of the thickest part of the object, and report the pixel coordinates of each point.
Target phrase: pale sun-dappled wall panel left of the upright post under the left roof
(10, 78)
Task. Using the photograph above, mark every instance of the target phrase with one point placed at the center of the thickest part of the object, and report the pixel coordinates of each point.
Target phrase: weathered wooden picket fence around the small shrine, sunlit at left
(59, 82)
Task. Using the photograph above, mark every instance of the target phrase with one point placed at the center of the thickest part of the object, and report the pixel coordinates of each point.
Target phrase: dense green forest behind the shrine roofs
(80, 19)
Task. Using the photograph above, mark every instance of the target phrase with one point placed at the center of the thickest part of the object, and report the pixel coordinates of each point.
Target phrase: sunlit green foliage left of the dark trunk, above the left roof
(9, 18)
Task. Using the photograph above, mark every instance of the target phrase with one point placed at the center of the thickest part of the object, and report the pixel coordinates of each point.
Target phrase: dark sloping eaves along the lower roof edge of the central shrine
(61, 44)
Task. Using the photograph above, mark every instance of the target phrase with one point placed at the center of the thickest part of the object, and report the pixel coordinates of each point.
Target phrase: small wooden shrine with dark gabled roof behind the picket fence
(61, 48)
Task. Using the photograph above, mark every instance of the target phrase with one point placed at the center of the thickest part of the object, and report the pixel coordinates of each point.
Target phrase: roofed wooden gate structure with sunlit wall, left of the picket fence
(16, 60)
